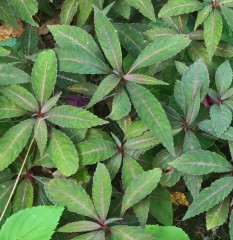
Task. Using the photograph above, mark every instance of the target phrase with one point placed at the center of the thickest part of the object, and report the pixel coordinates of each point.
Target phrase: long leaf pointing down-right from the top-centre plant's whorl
(152, 114)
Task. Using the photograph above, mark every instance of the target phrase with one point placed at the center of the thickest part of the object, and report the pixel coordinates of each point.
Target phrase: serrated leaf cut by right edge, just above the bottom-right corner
(210, 196)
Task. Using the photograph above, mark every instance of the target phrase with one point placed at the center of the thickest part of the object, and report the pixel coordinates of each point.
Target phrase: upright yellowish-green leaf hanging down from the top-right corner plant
(212, 32)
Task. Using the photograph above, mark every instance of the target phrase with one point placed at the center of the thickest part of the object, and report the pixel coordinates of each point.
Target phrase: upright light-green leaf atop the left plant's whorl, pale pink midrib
(44, 74)
